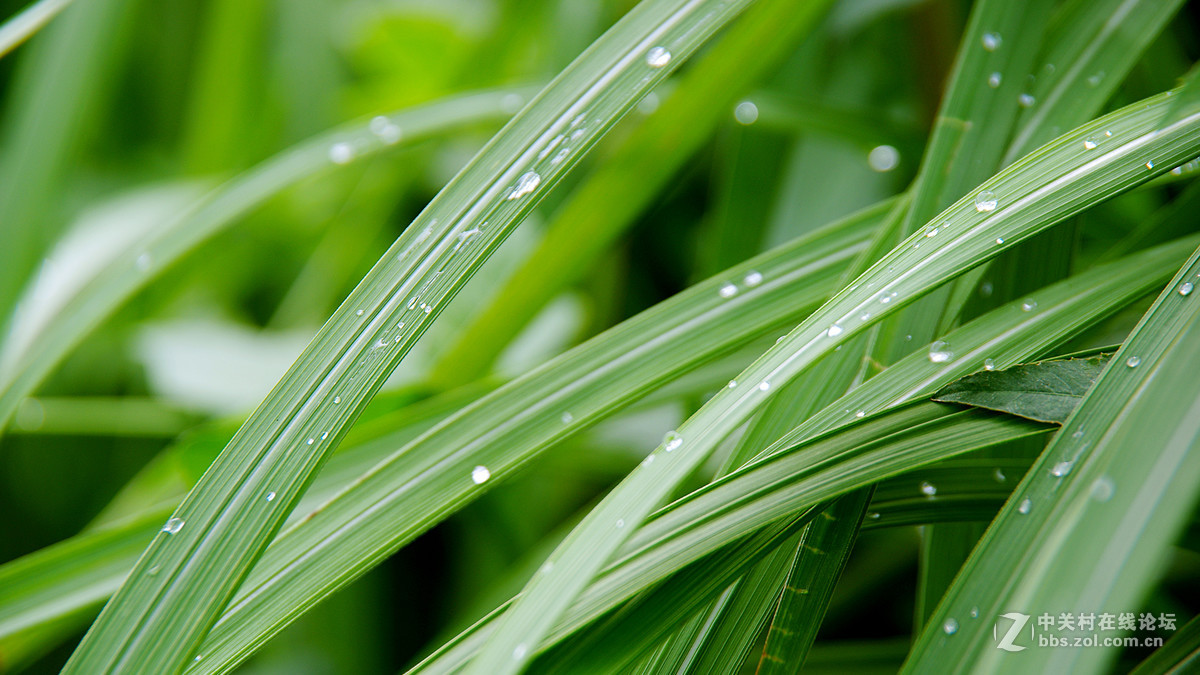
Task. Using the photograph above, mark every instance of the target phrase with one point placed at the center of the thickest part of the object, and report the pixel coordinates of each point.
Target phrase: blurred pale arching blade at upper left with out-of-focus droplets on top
(50, 324)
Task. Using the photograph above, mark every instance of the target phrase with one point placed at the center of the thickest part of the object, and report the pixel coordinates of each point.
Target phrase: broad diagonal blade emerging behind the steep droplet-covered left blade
(425, 481)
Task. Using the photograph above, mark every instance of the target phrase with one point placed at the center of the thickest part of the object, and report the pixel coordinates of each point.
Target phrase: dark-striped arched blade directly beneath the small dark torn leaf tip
(771, 493)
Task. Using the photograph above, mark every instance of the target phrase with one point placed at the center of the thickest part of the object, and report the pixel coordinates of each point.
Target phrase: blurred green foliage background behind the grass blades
(123, 111)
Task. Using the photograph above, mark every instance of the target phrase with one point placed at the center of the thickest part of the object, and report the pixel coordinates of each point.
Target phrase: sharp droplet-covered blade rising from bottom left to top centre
(229, 519)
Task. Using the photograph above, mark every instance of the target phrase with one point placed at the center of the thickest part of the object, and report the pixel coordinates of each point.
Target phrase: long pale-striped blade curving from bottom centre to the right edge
(1043, 189)
